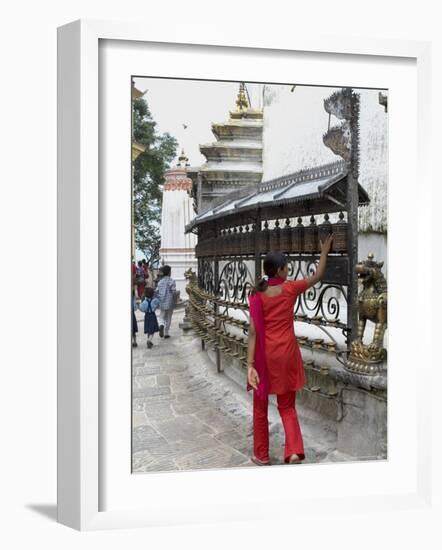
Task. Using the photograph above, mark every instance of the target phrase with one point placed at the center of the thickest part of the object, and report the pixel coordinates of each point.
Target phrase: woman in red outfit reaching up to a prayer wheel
(274, 358)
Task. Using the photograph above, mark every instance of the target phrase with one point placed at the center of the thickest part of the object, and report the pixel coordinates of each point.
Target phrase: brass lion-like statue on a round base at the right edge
(372, 306)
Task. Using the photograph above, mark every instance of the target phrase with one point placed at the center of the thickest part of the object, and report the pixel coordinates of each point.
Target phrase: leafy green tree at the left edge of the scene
(148, 176)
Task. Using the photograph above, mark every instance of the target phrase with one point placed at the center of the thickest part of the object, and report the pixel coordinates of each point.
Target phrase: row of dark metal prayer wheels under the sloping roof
(289, 239)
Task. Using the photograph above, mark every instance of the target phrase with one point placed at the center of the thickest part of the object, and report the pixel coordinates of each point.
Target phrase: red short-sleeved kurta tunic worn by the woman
(283, 356)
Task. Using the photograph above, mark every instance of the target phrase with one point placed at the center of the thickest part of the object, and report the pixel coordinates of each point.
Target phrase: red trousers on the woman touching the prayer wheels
(287, 411)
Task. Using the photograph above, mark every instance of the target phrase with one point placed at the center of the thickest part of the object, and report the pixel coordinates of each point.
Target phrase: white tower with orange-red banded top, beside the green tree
(177, 247)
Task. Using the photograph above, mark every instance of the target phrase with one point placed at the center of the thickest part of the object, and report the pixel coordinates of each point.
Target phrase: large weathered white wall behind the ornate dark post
(294, 123)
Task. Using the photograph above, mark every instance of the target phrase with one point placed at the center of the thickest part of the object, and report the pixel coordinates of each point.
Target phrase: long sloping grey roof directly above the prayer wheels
(313, 190)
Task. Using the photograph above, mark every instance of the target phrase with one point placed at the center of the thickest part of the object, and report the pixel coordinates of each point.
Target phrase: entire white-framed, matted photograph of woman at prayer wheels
(224, 210)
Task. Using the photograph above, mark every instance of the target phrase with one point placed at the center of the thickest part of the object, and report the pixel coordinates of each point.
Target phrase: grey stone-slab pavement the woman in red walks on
(186, 416)
